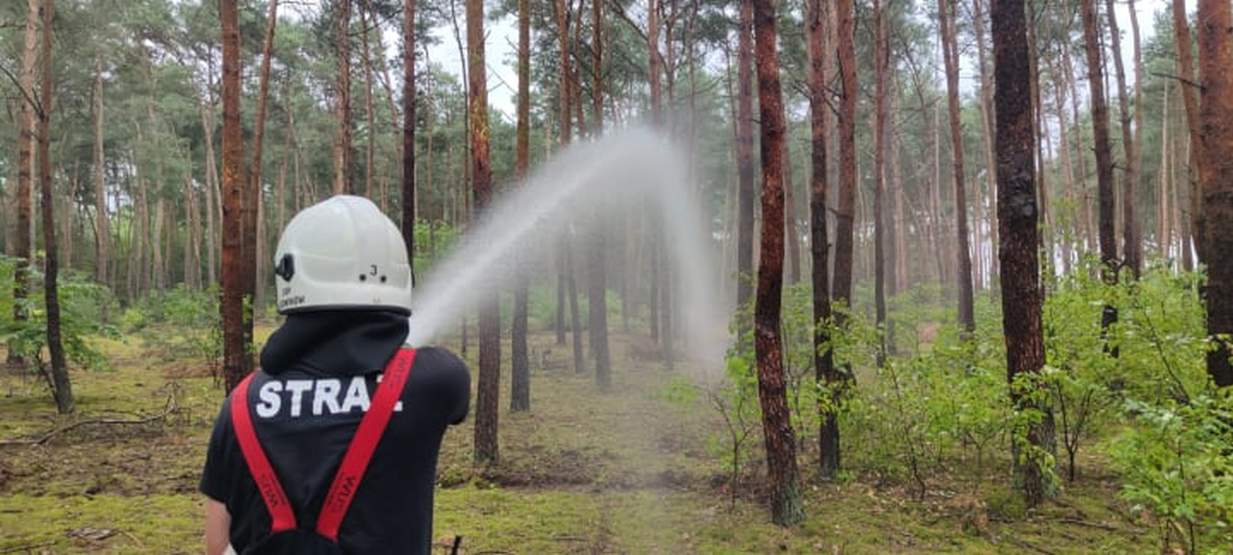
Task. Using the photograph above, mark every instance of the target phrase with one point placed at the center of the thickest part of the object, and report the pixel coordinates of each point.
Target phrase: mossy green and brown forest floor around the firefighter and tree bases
(626, 472)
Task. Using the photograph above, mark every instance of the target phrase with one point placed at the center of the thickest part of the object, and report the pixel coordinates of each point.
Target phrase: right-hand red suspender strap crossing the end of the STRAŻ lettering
(356, 462)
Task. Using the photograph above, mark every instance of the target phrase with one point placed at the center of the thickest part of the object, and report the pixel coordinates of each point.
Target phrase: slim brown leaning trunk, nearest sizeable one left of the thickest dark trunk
(951, 55)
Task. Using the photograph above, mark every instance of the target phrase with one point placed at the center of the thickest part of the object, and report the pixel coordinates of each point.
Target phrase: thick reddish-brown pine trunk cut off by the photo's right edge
(1216, 131)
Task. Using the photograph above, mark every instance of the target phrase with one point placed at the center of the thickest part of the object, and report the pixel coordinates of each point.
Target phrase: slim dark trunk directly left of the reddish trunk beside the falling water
(745, 156)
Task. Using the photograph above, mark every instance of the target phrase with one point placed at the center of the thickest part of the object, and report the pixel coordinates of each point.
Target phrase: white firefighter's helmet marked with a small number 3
(342, 255)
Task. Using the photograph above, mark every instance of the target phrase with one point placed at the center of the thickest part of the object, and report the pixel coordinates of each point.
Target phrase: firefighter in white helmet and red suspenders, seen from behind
(332, 446)
